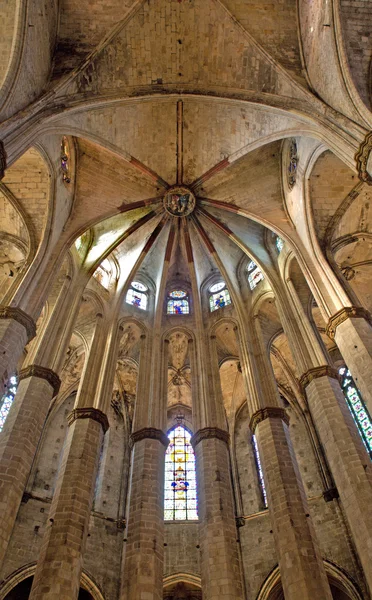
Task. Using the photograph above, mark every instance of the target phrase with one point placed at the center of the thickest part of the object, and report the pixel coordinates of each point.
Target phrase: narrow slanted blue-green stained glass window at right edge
(357, 407)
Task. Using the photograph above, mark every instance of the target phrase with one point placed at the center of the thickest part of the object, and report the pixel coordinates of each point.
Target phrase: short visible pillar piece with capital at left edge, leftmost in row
(16, 330)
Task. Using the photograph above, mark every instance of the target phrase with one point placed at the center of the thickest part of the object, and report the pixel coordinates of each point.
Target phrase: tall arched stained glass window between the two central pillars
(180, 499)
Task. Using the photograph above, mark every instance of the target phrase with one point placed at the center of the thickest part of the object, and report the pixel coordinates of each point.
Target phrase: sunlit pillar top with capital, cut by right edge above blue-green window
(351, 328)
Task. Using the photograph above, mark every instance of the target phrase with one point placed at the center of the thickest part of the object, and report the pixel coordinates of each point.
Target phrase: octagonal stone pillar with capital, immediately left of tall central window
(144, 546)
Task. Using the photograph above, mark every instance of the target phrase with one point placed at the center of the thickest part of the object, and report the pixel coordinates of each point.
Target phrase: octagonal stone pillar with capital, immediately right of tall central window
(220, 561)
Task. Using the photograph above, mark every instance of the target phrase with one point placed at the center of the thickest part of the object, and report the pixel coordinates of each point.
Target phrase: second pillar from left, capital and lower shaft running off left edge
(19, 440)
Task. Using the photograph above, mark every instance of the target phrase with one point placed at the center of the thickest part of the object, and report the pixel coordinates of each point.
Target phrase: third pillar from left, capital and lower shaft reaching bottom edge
(59, 566)
